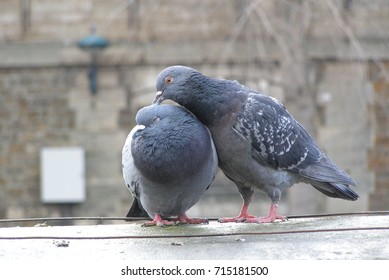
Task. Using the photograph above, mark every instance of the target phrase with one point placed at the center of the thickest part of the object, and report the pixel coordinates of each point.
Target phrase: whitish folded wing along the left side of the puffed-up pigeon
(130, 172)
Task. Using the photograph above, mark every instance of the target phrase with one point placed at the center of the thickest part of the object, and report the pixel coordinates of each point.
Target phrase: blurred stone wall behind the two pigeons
(327, 61)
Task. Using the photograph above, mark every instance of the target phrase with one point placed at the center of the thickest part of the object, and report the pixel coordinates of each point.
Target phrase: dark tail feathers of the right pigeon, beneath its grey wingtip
(335, 190)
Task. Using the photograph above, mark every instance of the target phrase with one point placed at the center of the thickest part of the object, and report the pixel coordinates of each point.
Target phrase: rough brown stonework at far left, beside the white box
(34, 112)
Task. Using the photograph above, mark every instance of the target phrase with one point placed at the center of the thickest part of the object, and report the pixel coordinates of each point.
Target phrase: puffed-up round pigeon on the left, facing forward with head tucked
(169, 160)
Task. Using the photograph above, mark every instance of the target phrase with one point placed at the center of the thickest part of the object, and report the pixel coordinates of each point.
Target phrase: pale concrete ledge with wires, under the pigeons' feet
(353, 236)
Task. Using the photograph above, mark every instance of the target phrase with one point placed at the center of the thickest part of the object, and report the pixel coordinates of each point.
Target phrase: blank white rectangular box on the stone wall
(62, 174)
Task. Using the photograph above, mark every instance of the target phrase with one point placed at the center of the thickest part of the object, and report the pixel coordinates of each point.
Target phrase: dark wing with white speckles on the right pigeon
(277, 139)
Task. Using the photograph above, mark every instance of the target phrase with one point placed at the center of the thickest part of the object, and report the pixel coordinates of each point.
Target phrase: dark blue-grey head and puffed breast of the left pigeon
(169, 144)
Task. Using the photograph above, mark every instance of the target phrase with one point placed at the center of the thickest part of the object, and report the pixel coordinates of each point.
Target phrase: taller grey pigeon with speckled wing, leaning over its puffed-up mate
(259, 144)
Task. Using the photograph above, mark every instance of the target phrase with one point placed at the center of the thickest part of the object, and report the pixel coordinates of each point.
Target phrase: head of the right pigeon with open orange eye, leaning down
(175, 83)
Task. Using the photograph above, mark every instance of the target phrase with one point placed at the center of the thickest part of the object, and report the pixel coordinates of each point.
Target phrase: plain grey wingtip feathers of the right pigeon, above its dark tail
(326, 171)
